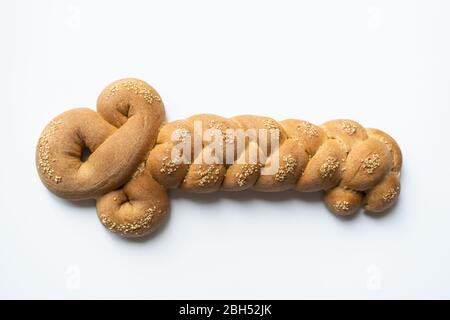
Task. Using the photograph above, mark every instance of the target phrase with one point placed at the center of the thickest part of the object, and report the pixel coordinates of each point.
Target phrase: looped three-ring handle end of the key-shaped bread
(119, 136)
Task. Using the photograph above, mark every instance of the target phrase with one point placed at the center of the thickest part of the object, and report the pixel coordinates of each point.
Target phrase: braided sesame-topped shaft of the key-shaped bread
(340, 157)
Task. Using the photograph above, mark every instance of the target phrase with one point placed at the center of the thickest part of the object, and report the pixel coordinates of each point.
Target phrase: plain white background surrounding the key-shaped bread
(382, 63)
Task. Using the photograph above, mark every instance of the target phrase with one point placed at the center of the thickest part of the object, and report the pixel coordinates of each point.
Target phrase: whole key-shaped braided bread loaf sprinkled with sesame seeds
(132, 162)
